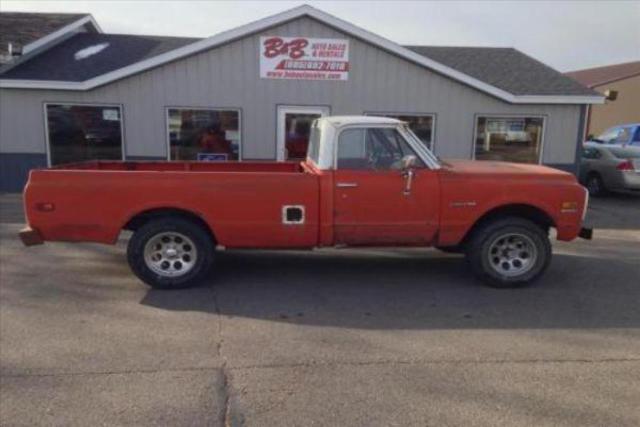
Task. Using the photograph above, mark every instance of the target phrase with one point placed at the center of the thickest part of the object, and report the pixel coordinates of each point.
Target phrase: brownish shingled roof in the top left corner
(22, 28)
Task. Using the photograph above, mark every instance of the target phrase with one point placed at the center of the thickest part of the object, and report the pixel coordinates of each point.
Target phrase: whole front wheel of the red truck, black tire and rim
(486, 239)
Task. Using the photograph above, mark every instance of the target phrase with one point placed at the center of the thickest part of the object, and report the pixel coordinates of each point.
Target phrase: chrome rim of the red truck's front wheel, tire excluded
(512, 254)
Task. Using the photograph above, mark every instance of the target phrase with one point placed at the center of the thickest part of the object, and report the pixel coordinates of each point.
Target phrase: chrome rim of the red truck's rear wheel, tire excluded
(170, 254)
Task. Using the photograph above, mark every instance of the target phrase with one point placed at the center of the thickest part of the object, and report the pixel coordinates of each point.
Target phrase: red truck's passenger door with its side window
(373, 202)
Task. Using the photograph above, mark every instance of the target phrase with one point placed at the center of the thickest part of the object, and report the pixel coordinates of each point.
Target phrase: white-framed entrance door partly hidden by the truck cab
(294, 127)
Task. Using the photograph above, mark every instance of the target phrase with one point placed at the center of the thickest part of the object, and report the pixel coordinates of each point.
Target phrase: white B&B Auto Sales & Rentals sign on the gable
(301, 58)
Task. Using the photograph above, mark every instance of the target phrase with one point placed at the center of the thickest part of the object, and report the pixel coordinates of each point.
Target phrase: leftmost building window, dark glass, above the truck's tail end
(78, 133)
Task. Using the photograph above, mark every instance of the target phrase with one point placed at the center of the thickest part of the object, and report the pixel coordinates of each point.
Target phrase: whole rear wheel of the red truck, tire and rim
(170, 253)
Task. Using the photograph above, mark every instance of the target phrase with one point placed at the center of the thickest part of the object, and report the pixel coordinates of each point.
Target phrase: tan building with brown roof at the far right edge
(621, 78)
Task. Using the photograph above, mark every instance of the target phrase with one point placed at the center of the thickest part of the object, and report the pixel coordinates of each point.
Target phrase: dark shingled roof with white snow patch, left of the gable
(112, 51)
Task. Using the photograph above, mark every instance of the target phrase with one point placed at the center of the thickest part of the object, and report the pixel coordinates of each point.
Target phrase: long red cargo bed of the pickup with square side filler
(241, 202)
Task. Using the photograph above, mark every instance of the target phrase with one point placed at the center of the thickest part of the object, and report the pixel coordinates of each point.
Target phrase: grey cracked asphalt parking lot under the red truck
(378, 337)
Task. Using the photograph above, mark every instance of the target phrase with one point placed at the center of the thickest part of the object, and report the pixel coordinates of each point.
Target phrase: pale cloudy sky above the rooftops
(566, 35)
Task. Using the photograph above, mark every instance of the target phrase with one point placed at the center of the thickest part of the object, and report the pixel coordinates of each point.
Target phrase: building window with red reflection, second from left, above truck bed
(203, 134)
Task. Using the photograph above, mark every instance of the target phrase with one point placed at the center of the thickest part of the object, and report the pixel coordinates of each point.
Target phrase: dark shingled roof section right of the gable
(506, 68)
